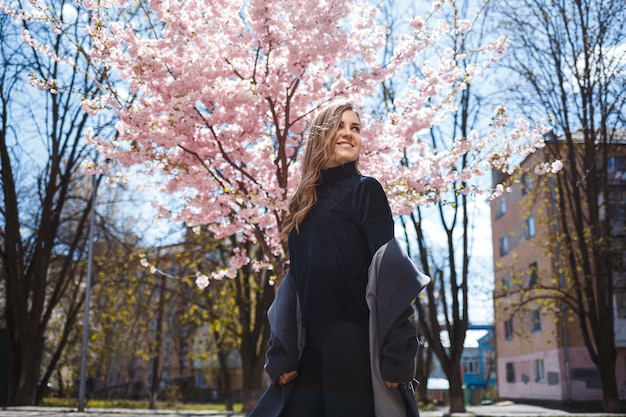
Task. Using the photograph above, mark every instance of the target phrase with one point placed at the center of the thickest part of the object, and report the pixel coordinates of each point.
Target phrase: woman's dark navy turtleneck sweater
(332, 252)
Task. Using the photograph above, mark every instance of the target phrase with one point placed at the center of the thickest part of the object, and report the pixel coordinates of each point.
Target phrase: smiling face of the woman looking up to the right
(347, 140)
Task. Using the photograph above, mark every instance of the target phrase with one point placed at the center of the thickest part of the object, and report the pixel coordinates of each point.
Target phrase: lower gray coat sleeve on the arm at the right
(399, 350)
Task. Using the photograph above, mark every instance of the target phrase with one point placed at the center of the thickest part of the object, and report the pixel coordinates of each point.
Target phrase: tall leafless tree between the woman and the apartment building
(440, 236)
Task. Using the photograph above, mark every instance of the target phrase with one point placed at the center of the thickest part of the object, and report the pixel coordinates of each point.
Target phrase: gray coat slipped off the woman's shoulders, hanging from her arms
(393, 283)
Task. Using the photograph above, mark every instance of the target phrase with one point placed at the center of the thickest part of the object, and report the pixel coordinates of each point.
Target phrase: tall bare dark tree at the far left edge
(41, 147)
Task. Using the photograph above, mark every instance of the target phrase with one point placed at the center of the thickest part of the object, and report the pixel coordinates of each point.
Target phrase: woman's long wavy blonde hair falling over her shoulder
(319, 150)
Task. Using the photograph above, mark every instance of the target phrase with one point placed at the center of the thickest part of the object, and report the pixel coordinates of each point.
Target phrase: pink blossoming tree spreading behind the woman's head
(217, 99)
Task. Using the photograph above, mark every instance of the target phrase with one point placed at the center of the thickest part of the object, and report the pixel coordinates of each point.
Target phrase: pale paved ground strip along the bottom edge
(504, 409)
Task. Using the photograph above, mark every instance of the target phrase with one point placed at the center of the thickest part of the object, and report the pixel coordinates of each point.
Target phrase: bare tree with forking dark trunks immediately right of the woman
(445, 307)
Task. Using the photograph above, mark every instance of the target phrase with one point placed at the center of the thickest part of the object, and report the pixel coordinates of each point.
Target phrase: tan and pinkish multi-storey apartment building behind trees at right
(540, 351)
